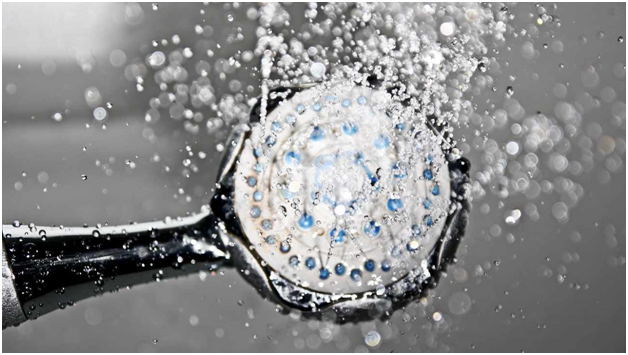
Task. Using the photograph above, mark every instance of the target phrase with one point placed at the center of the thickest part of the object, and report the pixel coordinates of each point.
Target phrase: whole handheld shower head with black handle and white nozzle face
(338, 195)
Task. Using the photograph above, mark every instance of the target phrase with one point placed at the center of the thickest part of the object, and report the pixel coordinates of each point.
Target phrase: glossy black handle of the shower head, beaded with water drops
(47, 268)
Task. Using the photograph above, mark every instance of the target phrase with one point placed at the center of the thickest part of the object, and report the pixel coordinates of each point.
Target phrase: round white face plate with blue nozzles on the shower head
(342, 190)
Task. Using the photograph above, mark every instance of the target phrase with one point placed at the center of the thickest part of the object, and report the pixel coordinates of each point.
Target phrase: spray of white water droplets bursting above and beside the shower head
(447, 58)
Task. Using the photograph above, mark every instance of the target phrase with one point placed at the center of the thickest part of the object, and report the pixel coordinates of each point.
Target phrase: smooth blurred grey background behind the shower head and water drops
(52, 53)
